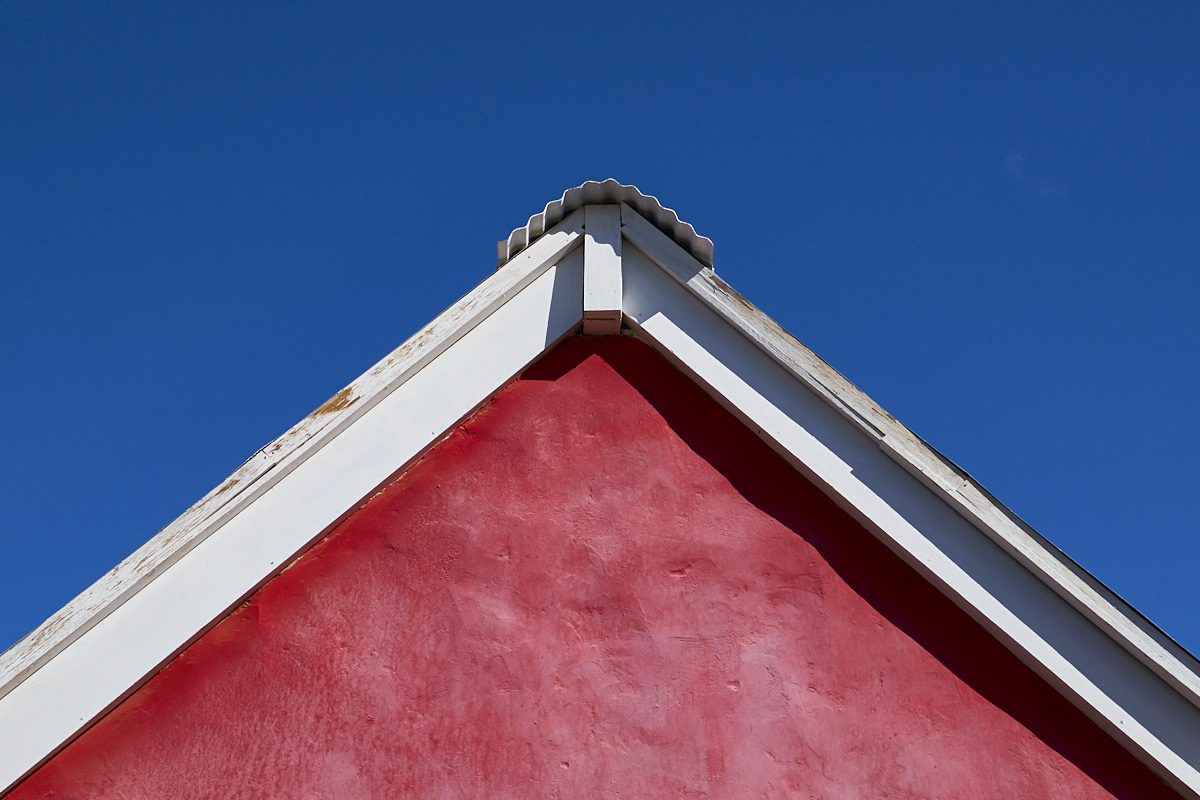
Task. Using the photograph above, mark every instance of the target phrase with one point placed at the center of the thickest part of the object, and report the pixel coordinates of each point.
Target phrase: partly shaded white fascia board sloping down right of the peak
(670, 302)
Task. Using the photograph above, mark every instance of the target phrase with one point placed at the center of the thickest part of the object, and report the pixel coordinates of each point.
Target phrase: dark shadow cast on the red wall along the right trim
(867, 566)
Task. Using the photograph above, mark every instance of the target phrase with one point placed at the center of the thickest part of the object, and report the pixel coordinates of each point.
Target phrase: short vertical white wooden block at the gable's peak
(602, 270)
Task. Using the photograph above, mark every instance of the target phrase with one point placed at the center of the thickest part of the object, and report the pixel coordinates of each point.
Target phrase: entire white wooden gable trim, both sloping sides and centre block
(604, 263)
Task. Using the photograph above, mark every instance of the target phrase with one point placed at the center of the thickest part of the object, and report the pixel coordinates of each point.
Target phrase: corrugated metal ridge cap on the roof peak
(610, 191)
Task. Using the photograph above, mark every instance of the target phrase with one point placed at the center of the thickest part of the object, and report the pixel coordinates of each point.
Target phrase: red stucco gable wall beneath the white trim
(602, 586)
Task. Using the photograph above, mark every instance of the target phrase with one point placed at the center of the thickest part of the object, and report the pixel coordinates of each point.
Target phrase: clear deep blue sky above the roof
(215, 215)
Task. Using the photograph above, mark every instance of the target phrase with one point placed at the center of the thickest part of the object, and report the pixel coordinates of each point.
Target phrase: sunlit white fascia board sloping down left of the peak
(111, 640)
